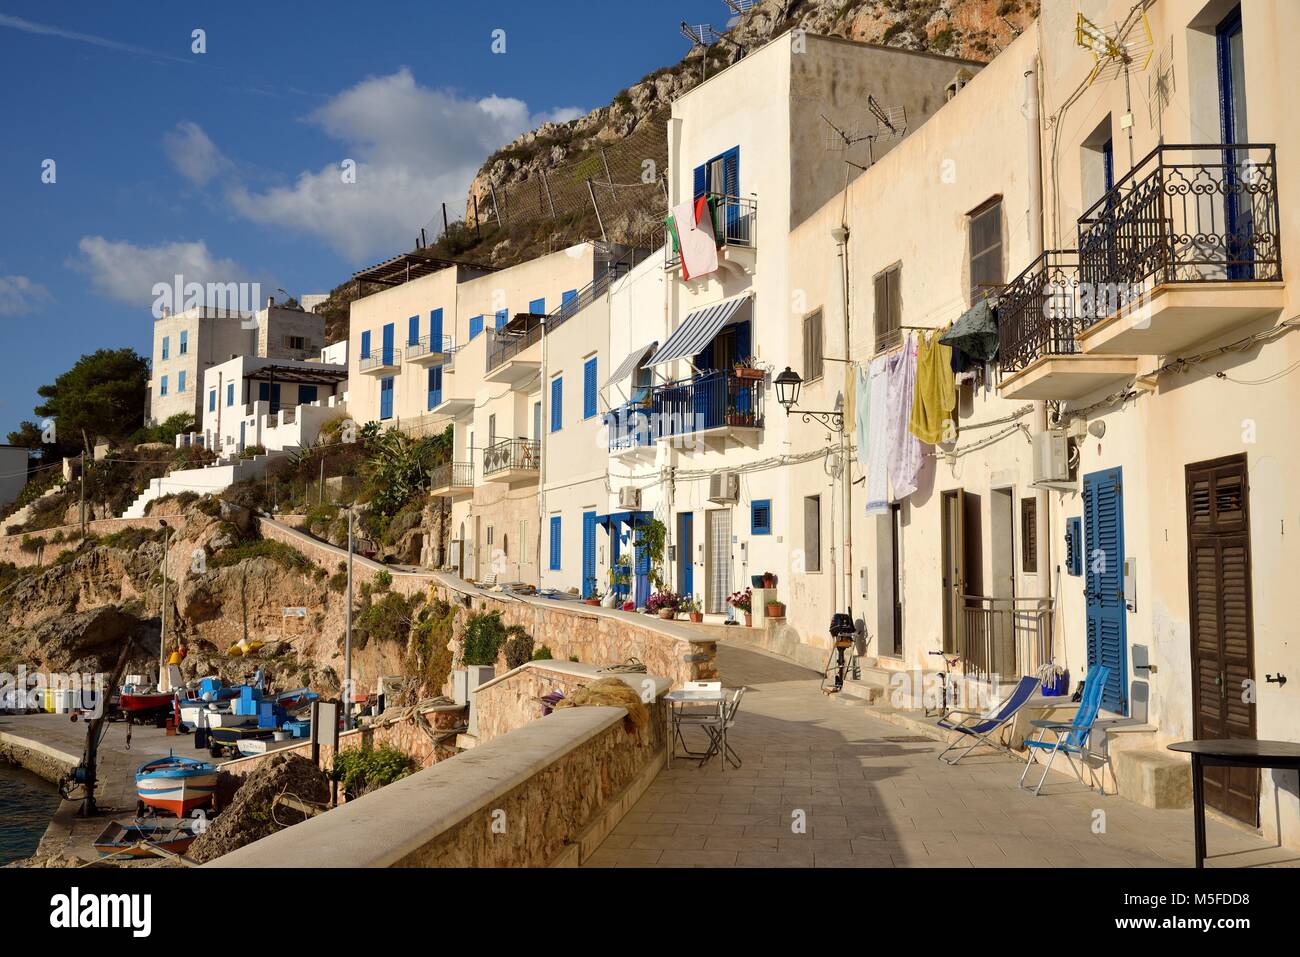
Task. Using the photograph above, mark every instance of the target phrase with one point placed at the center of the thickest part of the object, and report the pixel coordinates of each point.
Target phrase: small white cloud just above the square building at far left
(127, 272)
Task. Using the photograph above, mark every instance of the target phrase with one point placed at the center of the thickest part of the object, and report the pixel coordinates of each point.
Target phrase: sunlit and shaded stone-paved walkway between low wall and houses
(874, 796)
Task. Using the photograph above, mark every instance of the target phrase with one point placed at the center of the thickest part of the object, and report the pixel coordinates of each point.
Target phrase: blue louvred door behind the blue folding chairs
(1103, 564)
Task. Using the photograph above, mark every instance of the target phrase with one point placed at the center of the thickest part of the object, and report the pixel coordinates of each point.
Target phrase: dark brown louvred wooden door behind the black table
(1219, 547)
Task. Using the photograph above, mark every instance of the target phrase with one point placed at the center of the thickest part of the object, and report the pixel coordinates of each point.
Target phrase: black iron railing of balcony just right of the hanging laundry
(1038, 313)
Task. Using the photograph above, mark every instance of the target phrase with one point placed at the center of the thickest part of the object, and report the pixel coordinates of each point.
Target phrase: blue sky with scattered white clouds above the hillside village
(224, 166)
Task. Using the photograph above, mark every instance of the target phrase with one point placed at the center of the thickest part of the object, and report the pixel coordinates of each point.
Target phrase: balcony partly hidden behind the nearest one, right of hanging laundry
(1038, 321)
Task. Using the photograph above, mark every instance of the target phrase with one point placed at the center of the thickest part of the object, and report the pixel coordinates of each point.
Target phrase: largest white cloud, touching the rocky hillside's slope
(414, 149)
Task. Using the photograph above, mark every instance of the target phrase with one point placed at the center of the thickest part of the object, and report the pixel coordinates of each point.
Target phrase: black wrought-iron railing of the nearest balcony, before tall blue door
(1186, 214)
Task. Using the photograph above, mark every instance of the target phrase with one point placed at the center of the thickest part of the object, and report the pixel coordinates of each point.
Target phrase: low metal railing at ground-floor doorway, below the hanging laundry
(1006, 636)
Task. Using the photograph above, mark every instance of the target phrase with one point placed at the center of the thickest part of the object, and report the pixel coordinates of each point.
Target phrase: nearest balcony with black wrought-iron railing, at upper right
(1185, 249)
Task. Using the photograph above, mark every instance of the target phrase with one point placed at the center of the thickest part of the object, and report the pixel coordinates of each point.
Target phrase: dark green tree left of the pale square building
(103, 395)
